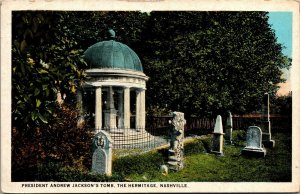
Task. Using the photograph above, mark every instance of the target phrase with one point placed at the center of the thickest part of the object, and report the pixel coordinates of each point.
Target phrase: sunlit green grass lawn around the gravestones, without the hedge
(232, 167)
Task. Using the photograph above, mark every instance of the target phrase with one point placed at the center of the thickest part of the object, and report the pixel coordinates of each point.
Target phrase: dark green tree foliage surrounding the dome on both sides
(200, 63)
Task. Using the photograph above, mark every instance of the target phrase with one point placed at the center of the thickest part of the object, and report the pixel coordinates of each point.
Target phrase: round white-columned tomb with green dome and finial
(113, 95)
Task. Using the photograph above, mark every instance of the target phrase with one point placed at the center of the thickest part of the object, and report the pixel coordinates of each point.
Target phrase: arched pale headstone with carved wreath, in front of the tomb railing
(102, 153)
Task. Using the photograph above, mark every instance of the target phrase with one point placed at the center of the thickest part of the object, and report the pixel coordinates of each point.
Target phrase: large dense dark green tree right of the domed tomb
(209, 62)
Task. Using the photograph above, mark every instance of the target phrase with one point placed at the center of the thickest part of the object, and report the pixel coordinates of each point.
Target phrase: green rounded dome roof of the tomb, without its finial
(112, 54)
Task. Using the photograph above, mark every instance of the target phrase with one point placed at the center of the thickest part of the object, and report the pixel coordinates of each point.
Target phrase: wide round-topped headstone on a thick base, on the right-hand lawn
(254, 145)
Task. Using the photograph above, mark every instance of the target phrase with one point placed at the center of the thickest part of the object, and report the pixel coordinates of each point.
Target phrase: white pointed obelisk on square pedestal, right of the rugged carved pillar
(218, 139)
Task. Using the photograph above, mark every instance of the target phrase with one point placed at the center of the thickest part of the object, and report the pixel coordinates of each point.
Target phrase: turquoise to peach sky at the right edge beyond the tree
(281, 23)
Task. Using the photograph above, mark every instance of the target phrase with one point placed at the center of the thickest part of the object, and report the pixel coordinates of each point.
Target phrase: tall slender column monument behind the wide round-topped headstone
(265, 123)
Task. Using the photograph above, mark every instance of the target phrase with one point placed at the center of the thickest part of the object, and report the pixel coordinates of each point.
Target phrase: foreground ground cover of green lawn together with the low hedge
(199, 166)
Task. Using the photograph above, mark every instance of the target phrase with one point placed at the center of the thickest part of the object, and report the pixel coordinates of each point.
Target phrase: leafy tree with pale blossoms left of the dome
(45, 61)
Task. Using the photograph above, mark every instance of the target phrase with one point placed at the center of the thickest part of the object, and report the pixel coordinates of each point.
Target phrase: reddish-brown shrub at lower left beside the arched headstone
(61, 142)
